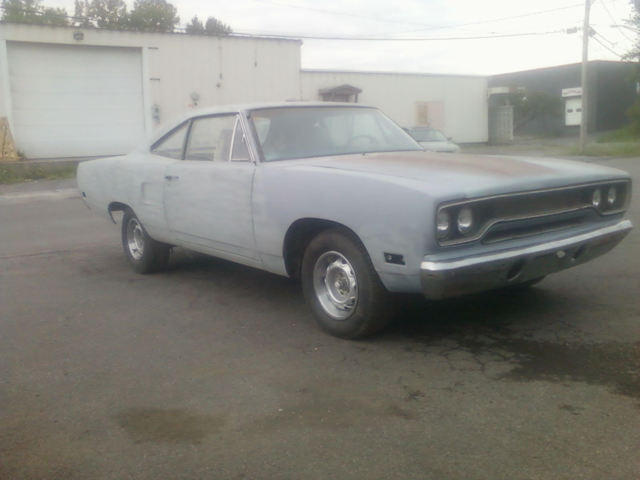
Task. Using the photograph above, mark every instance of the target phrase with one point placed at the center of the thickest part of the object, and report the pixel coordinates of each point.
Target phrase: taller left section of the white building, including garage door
(80, 92)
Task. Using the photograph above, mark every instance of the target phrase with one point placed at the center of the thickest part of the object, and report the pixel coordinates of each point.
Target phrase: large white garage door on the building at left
(71, 101)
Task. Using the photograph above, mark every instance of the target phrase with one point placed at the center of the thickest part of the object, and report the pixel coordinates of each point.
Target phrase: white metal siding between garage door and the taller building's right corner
(221, 71)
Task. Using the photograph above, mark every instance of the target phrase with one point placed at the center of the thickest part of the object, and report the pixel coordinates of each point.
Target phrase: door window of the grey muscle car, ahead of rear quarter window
(210, 138)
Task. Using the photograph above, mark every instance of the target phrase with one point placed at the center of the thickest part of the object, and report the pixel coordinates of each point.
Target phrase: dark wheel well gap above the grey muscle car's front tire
(298, 237)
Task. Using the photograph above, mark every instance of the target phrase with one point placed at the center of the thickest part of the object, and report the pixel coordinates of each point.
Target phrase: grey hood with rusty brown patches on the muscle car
(459, 175)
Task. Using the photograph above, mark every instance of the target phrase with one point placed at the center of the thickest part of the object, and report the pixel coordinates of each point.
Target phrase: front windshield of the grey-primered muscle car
(302, 132)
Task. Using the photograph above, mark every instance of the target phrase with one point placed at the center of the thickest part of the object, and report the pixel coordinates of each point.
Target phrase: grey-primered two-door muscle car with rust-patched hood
(341, 197)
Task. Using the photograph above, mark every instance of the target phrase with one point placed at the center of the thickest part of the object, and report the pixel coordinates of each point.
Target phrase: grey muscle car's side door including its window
(207, 195)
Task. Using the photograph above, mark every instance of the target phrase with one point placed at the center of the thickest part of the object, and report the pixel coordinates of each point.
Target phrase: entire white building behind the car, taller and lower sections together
(70, 92)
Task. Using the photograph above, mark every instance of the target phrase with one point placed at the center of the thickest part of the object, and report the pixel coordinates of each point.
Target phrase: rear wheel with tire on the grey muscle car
(144, 254)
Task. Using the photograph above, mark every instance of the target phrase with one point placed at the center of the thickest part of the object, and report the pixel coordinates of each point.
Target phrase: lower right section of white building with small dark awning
(455, 104)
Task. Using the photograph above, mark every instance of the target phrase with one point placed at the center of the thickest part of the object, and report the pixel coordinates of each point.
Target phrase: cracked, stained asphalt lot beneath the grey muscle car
(214, 370)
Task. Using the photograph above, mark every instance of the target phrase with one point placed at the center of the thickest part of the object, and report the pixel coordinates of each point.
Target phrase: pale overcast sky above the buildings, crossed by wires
(448, 30)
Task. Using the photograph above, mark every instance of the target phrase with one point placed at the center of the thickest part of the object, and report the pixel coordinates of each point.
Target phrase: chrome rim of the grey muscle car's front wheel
(335, 285)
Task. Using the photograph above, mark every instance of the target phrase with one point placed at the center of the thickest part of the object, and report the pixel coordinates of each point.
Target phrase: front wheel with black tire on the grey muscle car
(341, 286)
